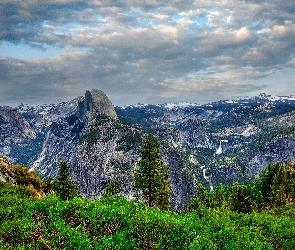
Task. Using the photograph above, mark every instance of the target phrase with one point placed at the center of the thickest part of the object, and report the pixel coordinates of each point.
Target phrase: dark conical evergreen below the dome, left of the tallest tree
(63, 185)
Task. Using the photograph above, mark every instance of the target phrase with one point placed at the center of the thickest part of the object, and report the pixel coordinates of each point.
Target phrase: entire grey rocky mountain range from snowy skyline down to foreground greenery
(219, 142)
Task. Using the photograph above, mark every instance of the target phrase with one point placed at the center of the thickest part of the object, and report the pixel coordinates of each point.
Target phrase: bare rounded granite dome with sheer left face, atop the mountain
(97, 102)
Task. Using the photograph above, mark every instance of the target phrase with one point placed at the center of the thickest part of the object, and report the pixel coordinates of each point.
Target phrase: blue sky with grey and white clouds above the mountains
(145, 51)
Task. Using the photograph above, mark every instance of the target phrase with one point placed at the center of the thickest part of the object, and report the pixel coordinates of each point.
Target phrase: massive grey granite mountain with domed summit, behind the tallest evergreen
(99, 149)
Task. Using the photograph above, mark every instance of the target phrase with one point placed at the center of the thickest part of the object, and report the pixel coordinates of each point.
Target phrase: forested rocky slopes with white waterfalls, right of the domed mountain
(226, 140)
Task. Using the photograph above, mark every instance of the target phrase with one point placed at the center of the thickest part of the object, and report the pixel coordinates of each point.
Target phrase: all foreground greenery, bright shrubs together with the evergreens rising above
(260, 215)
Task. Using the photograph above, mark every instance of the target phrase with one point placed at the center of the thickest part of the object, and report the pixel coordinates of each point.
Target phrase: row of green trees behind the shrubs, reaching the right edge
(273, 188)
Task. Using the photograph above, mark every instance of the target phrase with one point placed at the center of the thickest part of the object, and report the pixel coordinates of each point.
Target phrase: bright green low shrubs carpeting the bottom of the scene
(115, 223)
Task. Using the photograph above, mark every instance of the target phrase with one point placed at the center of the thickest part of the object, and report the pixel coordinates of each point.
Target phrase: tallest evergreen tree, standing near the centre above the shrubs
(152, 176)
